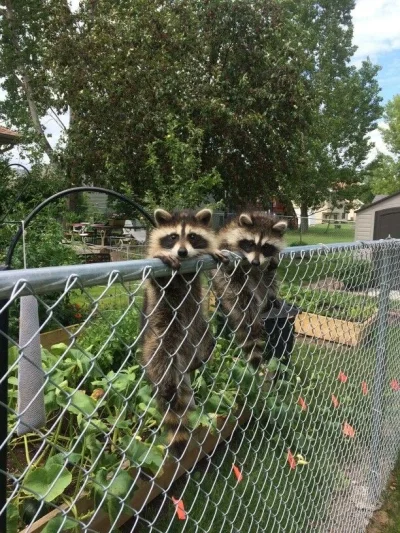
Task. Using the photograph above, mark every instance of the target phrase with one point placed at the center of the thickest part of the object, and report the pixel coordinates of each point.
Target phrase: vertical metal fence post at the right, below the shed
(382, 262)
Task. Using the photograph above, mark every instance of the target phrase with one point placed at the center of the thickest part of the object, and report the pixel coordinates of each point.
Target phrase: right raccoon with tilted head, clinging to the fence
(249, 289)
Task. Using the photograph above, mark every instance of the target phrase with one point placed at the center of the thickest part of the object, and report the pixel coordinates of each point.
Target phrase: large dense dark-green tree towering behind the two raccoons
(124, 68)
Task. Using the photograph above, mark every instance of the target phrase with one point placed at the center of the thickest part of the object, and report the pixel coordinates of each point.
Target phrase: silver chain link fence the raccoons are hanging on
(303, 443)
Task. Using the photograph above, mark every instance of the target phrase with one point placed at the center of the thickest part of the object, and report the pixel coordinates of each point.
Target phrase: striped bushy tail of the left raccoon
(176, 410)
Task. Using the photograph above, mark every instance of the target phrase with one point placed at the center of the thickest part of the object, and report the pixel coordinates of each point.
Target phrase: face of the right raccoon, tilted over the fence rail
(257, 236)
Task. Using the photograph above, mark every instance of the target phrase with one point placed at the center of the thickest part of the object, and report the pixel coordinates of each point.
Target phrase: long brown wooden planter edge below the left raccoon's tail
(145, 492)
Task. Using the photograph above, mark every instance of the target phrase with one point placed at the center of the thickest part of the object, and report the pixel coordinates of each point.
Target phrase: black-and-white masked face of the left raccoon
(183, 234)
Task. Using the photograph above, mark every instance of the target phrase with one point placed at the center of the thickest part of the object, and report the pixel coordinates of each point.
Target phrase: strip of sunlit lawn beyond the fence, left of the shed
(321, 233)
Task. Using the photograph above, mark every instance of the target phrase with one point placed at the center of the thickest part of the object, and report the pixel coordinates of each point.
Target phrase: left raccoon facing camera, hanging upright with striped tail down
(177, 336)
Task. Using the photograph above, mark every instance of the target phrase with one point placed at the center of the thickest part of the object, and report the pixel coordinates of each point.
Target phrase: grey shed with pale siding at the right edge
(379, 219)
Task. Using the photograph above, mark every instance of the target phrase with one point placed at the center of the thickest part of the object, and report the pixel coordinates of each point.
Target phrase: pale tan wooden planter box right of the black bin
(332, 329)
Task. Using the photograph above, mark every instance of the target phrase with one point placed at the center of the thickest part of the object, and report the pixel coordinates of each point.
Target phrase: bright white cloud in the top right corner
(376, 27)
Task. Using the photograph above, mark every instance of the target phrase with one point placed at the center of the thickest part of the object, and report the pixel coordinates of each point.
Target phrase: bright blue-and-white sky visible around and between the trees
(377, 35)
